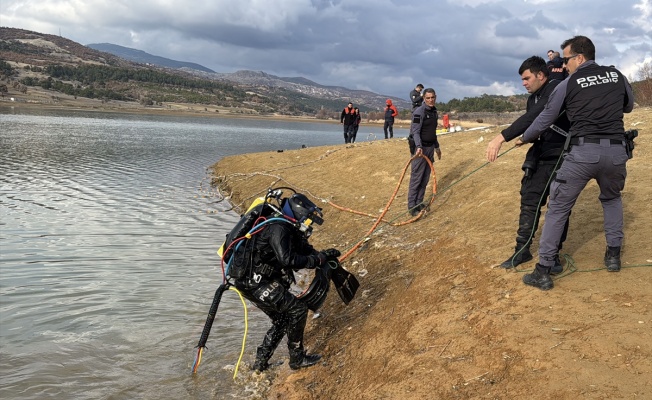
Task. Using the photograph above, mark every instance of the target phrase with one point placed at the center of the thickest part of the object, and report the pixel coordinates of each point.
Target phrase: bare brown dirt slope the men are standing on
(434, 317)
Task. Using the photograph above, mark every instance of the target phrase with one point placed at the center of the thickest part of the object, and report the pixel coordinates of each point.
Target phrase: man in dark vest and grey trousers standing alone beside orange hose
(423, 135)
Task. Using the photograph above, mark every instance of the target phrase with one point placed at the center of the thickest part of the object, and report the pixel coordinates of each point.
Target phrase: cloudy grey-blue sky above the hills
(462, 48)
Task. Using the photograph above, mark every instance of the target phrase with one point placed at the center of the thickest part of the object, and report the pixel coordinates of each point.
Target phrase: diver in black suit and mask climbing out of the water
(269, 258)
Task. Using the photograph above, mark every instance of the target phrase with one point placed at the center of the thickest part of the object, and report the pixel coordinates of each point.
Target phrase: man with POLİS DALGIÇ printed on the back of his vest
(595, 98)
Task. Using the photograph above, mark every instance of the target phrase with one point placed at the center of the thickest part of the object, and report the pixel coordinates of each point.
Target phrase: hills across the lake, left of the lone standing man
(32, 58)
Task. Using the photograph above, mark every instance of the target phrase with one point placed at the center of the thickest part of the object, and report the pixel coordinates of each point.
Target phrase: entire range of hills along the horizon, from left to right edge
(122, 78)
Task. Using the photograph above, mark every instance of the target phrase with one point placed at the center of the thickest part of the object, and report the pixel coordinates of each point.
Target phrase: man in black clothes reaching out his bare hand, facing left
(541, 160)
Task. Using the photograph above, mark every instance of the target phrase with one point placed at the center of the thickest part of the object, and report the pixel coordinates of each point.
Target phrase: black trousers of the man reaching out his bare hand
(535, 189)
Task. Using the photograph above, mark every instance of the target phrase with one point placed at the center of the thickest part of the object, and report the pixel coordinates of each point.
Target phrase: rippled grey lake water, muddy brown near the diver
(108, 236)
